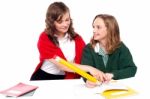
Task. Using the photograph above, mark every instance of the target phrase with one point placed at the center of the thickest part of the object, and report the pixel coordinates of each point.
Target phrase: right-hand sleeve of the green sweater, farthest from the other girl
(126, 66)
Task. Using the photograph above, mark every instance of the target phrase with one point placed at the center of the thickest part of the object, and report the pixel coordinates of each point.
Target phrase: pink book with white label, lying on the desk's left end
(19, 90)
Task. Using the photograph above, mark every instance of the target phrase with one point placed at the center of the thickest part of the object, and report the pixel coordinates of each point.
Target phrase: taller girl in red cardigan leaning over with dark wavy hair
(59, 38)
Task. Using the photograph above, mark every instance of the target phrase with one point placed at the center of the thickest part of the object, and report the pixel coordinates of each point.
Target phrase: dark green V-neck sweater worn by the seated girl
(120, 62)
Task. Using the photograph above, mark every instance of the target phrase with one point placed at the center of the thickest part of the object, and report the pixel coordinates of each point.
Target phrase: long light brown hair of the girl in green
(113, 33)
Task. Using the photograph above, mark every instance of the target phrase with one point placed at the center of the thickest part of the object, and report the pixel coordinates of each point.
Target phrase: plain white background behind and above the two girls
(21, 22)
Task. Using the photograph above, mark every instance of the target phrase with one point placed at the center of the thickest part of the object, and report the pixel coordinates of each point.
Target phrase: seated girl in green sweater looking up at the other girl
(107, 52)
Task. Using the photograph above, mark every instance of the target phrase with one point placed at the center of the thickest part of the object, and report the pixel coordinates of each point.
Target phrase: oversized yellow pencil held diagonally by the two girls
(76, 69)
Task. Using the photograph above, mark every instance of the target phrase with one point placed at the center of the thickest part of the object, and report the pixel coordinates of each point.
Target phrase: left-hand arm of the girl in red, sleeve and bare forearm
(48, 50)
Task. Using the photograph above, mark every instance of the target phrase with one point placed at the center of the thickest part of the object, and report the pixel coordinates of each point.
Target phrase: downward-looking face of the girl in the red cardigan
(63, 24)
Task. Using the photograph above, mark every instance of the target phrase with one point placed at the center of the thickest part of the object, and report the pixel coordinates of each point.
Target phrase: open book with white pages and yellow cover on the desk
(113, 90)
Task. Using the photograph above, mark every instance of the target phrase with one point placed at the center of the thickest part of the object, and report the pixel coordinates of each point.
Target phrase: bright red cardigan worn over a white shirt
(48, 49)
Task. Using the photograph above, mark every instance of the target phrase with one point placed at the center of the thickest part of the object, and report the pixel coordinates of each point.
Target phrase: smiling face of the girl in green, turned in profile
(99, 30)
